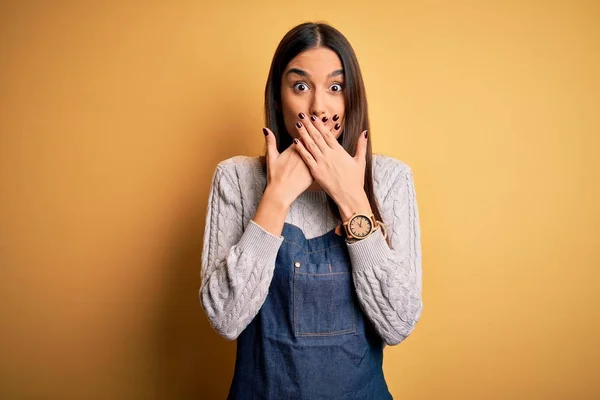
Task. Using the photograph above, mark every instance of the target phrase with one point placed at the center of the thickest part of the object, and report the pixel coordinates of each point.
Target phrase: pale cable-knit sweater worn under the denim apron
(238, 257)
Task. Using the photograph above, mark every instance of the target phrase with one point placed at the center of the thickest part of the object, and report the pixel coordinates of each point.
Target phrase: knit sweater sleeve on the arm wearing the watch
(388, 278)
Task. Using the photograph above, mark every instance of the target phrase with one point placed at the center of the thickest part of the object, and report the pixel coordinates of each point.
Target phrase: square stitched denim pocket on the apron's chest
(323, 300)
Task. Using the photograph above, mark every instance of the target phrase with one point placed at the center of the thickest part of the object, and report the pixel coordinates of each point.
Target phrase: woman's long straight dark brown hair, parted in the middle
(308, 36)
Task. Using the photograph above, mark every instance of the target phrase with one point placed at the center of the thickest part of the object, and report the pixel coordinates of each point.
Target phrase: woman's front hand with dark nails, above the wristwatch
(337, 172)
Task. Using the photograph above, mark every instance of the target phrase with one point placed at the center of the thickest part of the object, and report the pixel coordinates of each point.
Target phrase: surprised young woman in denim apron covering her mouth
(312, 256)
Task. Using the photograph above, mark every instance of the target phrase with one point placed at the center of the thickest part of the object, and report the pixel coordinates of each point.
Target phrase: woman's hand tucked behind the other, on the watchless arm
(287, 174)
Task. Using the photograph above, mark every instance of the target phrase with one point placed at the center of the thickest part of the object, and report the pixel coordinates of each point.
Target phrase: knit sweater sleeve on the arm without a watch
(237, 263)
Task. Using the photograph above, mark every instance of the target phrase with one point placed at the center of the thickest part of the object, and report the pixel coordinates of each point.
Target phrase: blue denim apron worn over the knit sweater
(311, 339)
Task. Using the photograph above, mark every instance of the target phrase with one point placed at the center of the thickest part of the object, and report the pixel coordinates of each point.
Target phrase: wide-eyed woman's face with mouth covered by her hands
(313, 84)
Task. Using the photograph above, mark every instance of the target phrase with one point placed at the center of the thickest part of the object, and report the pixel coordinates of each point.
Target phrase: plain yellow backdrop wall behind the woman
(113, 116)
